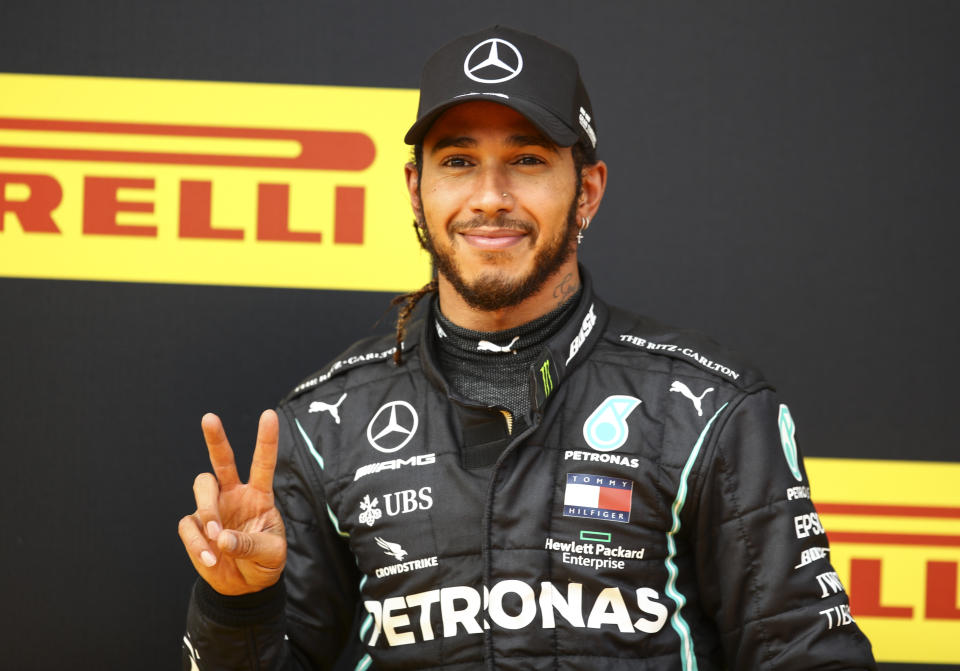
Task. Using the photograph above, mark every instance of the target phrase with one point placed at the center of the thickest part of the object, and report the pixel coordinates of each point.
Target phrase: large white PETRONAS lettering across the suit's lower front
(467, 608)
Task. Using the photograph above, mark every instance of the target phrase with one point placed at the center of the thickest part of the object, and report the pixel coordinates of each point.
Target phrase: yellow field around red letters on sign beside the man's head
(388, 260)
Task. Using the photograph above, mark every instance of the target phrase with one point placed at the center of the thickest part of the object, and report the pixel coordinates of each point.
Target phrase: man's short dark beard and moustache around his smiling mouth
(495, 291)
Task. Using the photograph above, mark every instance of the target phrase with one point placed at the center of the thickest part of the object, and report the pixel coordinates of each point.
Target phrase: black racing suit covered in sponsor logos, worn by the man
(653, 514)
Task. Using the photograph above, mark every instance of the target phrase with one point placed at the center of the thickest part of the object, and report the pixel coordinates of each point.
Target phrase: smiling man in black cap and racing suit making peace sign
(529, 478)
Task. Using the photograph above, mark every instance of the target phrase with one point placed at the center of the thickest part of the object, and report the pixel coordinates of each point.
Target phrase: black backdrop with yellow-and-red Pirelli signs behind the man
(201, 203)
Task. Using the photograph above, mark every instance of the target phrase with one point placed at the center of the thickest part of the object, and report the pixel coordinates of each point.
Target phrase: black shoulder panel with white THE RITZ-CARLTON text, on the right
(633, 335)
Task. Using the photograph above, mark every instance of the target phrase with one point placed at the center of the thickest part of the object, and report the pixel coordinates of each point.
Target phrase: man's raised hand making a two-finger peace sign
(236, 538)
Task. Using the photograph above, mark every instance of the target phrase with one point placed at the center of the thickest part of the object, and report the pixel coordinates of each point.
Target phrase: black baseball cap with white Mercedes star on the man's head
(502, 65)
